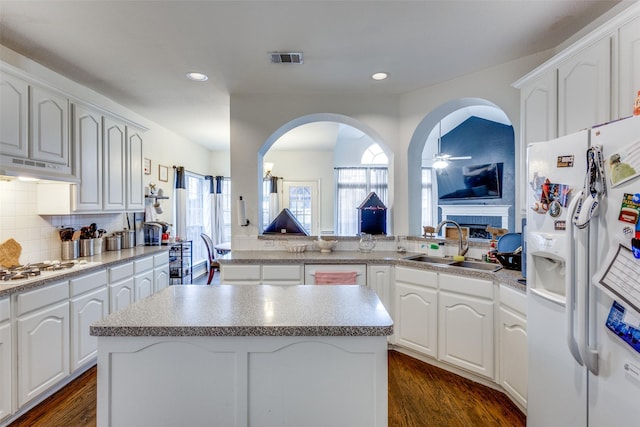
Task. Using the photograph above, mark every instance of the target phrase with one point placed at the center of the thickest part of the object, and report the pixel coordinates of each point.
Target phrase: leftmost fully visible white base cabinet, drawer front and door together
(42, 326)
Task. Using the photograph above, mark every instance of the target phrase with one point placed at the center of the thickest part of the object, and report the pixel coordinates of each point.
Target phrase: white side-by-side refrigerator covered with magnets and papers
(584, 356)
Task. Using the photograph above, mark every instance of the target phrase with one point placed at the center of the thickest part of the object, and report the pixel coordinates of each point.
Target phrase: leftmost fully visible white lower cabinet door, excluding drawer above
(43, 350)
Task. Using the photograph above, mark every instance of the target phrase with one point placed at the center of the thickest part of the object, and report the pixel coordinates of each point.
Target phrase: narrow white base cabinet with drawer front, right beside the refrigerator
(512, 337)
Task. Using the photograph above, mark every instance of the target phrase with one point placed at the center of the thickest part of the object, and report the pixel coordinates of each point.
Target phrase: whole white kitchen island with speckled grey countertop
(245, 355)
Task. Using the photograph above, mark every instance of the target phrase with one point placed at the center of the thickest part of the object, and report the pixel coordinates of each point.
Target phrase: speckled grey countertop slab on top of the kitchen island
(263, 310)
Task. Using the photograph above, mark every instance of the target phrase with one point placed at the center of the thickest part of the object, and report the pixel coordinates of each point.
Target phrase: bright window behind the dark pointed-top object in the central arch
(352, 187)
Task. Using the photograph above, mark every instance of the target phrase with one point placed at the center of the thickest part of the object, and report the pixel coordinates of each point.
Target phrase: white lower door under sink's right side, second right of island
(465, 336)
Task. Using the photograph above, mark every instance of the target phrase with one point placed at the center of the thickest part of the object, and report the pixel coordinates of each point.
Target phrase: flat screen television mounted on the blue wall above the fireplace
(470, 182)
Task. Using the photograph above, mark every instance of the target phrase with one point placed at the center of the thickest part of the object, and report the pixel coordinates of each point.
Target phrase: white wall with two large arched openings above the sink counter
(395, 118)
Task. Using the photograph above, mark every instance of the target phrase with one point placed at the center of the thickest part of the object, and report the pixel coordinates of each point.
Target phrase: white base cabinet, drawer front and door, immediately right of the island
(416, 311)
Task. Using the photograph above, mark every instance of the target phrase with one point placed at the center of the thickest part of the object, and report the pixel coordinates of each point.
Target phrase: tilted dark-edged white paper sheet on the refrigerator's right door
(621, 278)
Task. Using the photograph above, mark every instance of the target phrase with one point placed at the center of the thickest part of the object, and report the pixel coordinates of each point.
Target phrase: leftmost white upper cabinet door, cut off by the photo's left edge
(14, 105)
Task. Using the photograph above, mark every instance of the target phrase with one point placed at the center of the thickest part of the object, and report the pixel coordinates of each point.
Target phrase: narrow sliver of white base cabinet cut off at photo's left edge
(6, 352)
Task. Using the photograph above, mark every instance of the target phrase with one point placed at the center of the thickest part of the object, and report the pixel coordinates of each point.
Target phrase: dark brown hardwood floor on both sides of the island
(420, 395)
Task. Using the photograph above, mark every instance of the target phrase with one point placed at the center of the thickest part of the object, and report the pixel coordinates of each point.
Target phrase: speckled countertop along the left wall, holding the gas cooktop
(90, 264)
